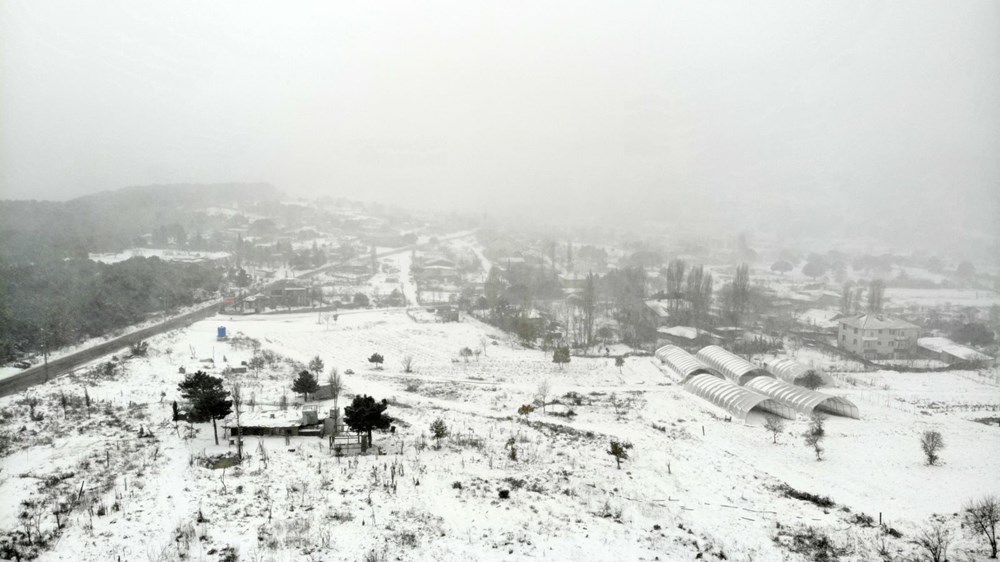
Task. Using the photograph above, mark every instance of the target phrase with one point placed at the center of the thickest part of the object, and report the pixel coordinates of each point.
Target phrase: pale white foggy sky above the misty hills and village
(763, 110)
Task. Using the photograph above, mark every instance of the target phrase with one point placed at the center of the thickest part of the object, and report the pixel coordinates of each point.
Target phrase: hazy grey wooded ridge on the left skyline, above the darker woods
(111, 220)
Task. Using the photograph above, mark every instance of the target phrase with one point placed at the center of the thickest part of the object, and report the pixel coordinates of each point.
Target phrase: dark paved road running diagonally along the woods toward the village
(58, 367)
